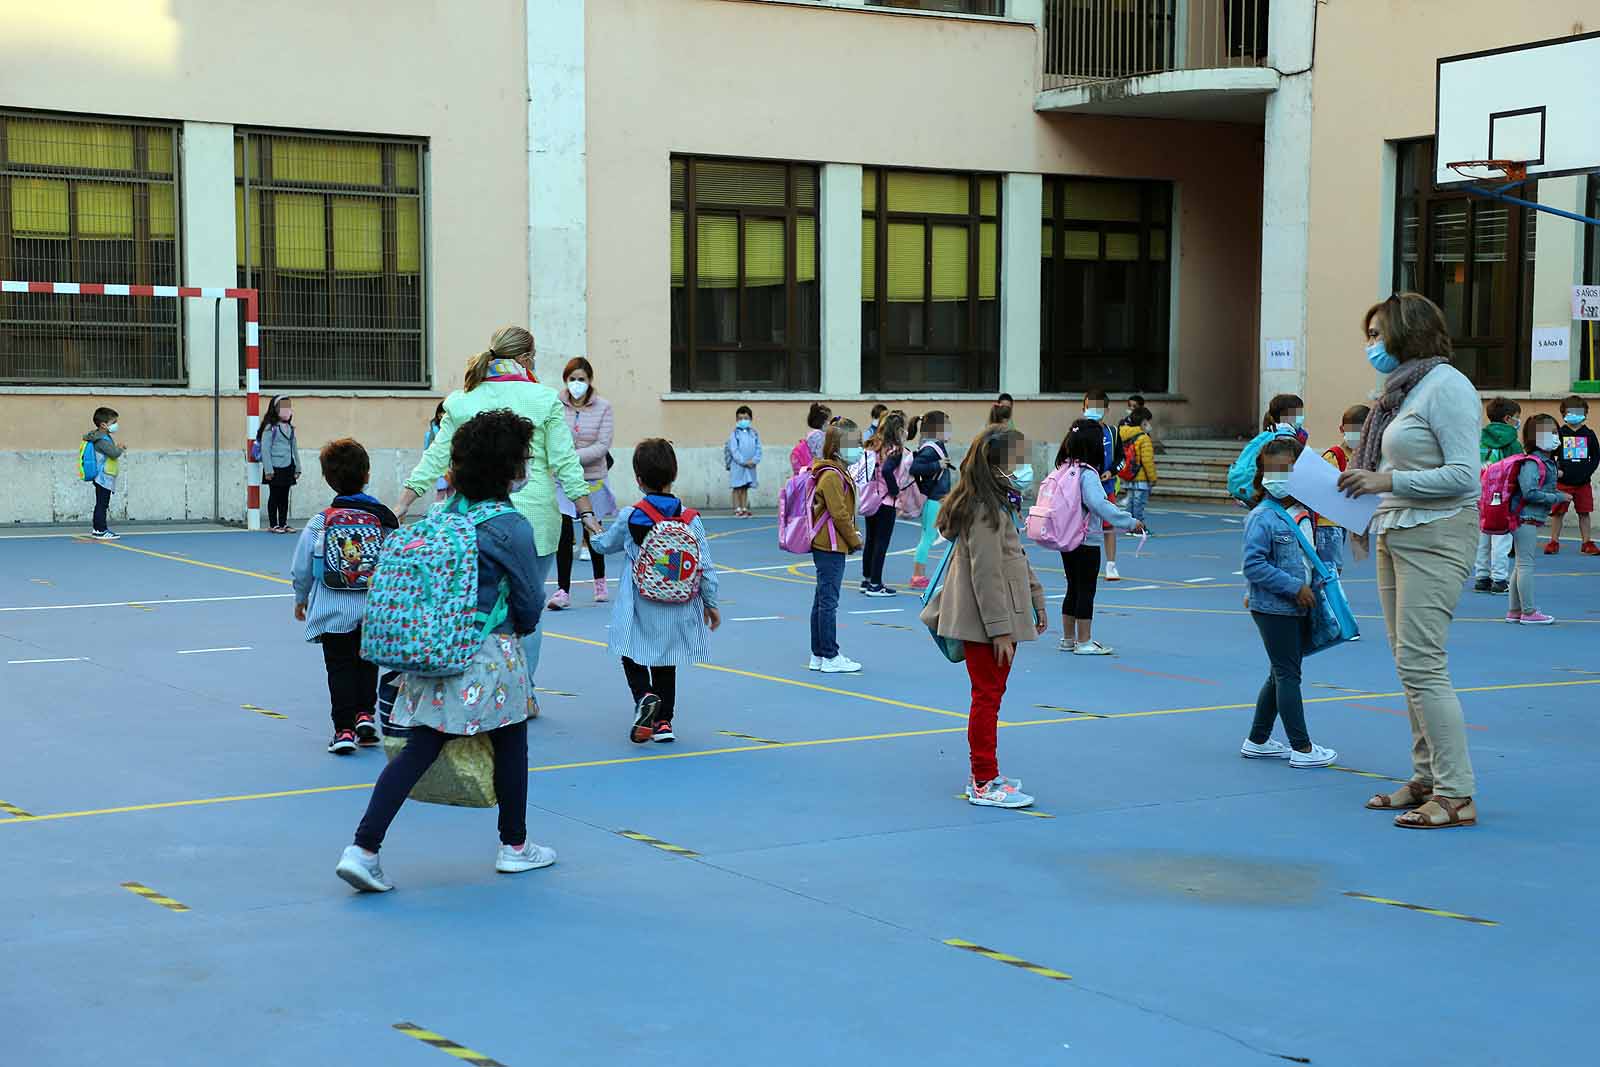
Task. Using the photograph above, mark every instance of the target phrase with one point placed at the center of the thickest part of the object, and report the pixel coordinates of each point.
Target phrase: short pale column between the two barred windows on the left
(210, 254)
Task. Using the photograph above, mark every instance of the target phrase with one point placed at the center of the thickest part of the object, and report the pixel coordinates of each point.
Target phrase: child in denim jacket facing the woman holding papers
(1279, 599)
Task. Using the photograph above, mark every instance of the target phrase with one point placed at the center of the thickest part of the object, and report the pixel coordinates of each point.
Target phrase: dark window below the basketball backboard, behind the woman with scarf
(1474, 258)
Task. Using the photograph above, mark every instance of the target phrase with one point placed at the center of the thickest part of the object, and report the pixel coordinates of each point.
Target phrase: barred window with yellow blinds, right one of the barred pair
(335, 244)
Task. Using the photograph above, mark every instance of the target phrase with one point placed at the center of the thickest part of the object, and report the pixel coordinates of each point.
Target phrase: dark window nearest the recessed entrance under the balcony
(1105, 286)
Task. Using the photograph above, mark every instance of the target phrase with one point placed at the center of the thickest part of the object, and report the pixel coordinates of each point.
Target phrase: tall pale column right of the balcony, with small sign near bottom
(1286, 199)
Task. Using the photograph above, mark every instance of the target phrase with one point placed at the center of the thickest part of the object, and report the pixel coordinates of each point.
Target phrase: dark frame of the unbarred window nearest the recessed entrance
(1055, 358)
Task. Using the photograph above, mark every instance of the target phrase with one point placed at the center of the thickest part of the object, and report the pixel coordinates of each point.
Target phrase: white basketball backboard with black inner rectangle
(1530, 105)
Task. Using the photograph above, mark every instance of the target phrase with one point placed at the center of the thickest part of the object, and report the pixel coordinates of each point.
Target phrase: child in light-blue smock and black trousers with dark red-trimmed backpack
(334, 565)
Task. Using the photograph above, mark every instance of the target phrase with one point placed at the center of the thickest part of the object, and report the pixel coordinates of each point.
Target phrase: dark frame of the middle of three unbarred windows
(982, 362)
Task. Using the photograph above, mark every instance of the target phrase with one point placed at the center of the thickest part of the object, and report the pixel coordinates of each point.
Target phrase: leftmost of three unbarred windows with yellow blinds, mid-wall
(746, 310)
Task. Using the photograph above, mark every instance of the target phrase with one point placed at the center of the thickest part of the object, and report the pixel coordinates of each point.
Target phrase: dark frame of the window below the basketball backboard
(1516, 284)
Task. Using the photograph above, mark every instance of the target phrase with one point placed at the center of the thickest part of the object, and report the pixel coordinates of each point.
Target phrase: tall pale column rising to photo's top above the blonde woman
(558, 185)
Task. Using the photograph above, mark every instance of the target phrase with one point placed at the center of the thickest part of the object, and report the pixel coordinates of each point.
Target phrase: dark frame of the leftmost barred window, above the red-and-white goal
(151, 326)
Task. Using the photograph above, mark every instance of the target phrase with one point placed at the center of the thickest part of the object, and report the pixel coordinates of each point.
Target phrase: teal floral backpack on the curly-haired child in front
(423, 601)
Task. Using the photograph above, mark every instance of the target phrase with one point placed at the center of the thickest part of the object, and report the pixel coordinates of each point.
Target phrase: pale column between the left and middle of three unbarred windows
(841, 273)
